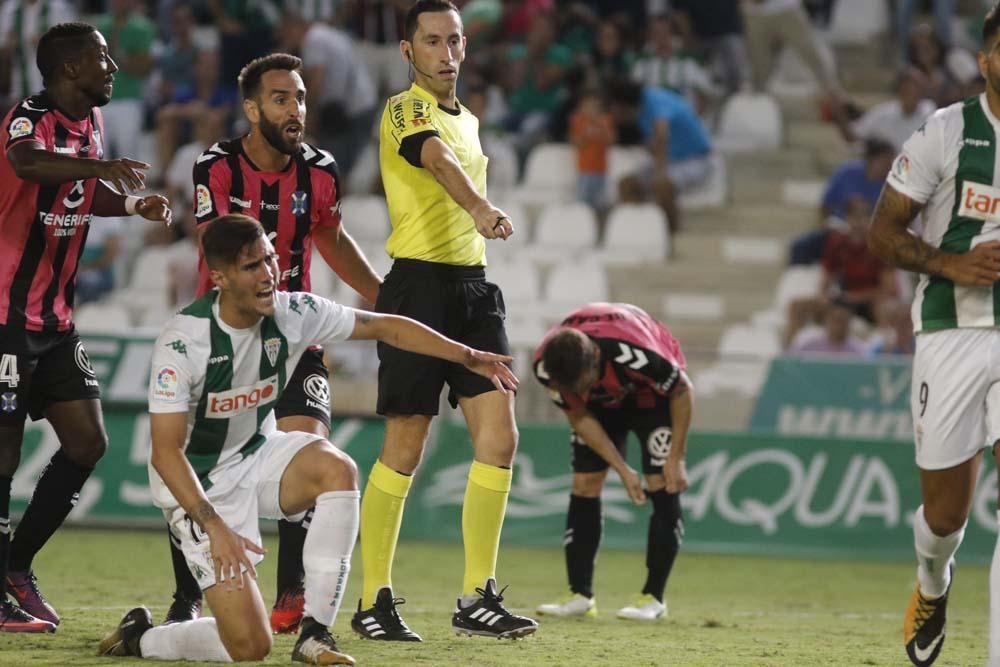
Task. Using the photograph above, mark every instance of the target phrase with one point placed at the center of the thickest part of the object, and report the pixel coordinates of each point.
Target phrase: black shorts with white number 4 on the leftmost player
(39, 369)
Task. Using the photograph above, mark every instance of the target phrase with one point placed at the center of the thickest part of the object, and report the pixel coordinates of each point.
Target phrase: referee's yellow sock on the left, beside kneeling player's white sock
(381, 514)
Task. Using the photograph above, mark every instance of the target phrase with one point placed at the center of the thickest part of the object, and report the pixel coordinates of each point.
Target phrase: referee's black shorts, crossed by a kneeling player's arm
(456, 301)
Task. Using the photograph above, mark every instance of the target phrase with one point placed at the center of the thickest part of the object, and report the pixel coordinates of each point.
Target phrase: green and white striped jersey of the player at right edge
(952, 166)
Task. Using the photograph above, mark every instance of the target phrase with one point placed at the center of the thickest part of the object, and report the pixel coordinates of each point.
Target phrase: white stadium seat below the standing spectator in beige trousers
(749, 122)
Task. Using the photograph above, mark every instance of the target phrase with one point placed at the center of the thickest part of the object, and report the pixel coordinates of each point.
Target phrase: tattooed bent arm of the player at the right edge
(890, 240)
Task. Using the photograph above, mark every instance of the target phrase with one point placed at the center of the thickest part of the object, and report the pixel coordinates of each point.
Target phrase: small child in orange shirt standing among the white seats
(592, 131)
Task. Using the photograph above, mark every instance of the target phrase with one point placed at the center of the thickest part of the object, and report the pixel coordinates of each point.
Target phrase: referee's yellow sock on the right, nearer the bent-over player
(482, 519)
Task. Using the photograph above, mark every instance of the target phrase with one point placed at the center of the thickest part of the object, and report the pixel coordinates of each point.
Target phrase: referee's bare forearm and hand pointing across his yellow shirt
(438, 158)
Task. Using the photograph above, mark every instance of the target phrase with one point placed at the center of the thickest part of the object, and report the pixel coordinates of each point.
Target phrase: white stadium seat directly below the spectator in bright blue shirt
(636, 233)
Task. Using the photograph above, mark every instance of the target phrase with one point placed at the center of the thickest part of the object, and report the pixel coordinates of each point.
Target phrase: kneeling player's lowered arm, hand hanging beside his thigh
(169, 431)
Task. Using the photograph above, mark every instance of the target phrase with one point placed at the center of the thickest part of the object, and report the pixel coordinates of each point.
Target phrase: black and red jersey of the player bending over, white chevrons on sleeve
(640, 359)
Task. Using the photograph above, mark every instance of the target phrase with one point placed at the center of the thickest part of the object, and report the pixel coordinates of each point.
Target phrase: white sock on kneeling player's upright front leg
(326, 554)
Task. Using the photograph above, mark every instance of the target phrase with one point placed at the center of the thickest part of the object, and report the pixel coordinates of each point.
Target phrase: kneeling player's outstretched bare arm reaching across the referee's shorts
(412, 336)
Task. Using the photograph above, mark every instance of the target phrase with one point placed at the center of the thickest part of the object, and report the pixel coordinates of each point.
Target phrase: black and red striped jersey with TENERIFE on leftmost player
(43, 227)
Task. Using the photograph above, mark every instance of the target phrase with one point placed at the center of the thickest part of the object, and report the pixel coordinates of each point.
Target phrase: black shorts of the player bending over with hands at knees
(650, 425)
